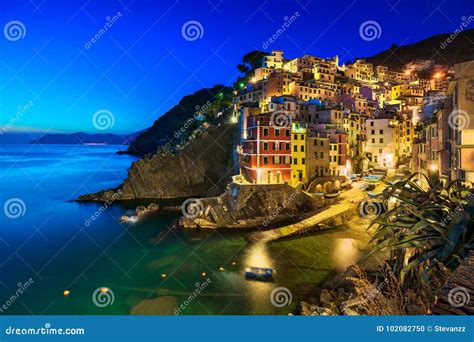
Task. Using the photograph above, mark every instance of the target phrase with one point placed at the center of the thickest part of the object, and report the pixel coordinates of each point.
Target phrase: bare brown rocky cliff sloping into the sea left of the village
(202, 167)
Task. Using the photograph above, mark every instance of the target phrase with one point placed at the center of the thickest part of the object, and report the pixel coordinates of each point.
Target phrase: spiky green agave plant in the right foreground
(429, 224)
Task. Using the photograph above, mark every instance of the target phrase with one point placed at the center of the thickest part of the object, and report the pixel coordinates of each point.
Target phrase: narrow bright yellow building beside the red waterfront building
(298, 154)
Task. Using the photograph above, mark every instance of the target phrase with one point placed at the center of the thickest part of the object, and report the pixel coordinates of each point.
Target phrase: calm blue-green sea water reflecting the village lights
(52, 245)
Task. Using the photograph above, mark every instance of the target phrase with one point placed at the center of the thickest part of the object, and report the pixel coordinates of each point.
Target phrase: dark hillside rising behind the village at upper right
(460, 49)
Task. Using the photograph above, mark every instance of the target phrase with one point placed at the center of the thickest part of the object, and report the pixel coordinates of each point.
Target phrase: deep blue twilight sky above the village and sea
(142, 65)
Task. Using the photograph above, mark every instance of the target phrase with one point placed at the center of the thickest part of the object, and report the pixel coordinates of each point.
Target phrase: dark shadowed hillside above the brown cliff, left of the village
(165, 129)
